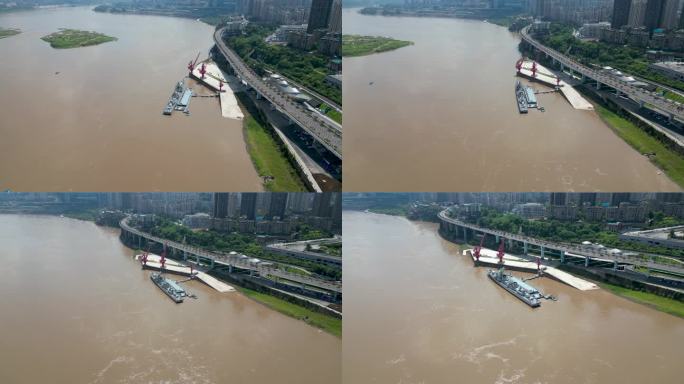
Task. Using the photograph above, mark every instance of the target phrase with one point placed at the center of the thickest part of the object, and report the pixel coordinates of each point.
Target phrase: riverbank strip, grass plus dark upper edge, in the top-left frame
(267, 155)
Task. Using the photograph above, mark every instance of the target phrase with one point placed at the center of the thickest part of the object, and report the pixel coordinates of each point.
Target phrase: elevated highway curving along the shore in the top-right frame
(636, 93)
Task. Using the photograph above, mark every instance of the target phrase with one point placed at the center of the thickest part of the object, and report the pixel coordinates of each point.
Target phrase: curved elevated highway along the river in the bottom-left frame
(236, 261)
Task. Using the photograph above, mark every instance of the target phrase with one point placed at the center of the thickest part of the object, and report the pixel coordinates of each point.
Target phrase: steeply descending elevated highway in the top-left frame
(328, 133)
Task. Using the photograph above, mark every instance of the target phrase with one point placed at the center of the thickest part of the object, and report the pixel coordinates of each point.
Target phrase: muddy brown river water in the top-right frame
(441, 116)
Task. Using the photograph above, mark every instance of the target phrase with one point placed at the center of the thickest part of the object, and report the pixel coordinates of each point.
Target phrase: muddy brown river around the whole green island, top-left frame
(89, 119)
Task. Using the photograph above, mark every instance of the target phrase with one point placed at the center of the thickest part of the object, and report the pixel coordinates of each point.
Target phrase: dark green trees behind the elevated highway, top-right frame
(628, 59)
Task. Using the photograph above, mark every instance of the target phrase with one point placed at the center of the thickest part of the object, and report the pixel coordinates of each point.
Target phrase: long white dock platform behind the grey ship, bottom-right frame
(488, 258)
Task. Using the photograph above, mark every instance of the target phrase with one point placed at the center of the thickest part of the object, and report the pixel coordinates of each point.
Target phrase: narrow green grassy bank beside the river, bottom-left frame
(329, 324)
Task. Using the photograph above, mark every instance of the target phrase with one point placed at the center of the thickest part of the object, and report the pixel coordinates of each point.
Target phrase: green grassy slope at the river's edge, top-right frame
(667, 160)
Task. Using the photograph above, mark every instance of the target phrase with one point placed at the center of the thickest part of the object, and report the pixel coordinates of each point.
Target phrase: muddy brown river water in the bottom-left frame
(76, 308)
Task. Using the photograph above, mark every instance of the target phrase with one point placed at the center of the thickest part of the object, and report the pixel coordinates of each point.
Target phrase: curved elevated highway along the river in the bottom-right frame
(568, 248)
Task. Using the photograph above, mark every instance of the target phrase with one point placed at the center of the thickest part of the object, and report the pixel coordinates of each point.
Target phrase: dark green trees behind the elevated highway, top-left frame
(306, 68)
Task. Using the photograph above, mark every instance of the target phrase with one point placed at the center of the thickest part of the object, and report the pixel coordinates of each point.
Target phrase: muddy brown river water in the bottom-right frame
(417, 311)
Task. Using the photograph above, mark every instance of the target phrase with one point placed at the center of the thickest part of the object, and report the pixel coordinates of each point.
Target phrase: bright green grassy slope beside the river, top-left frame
(268, 159)
